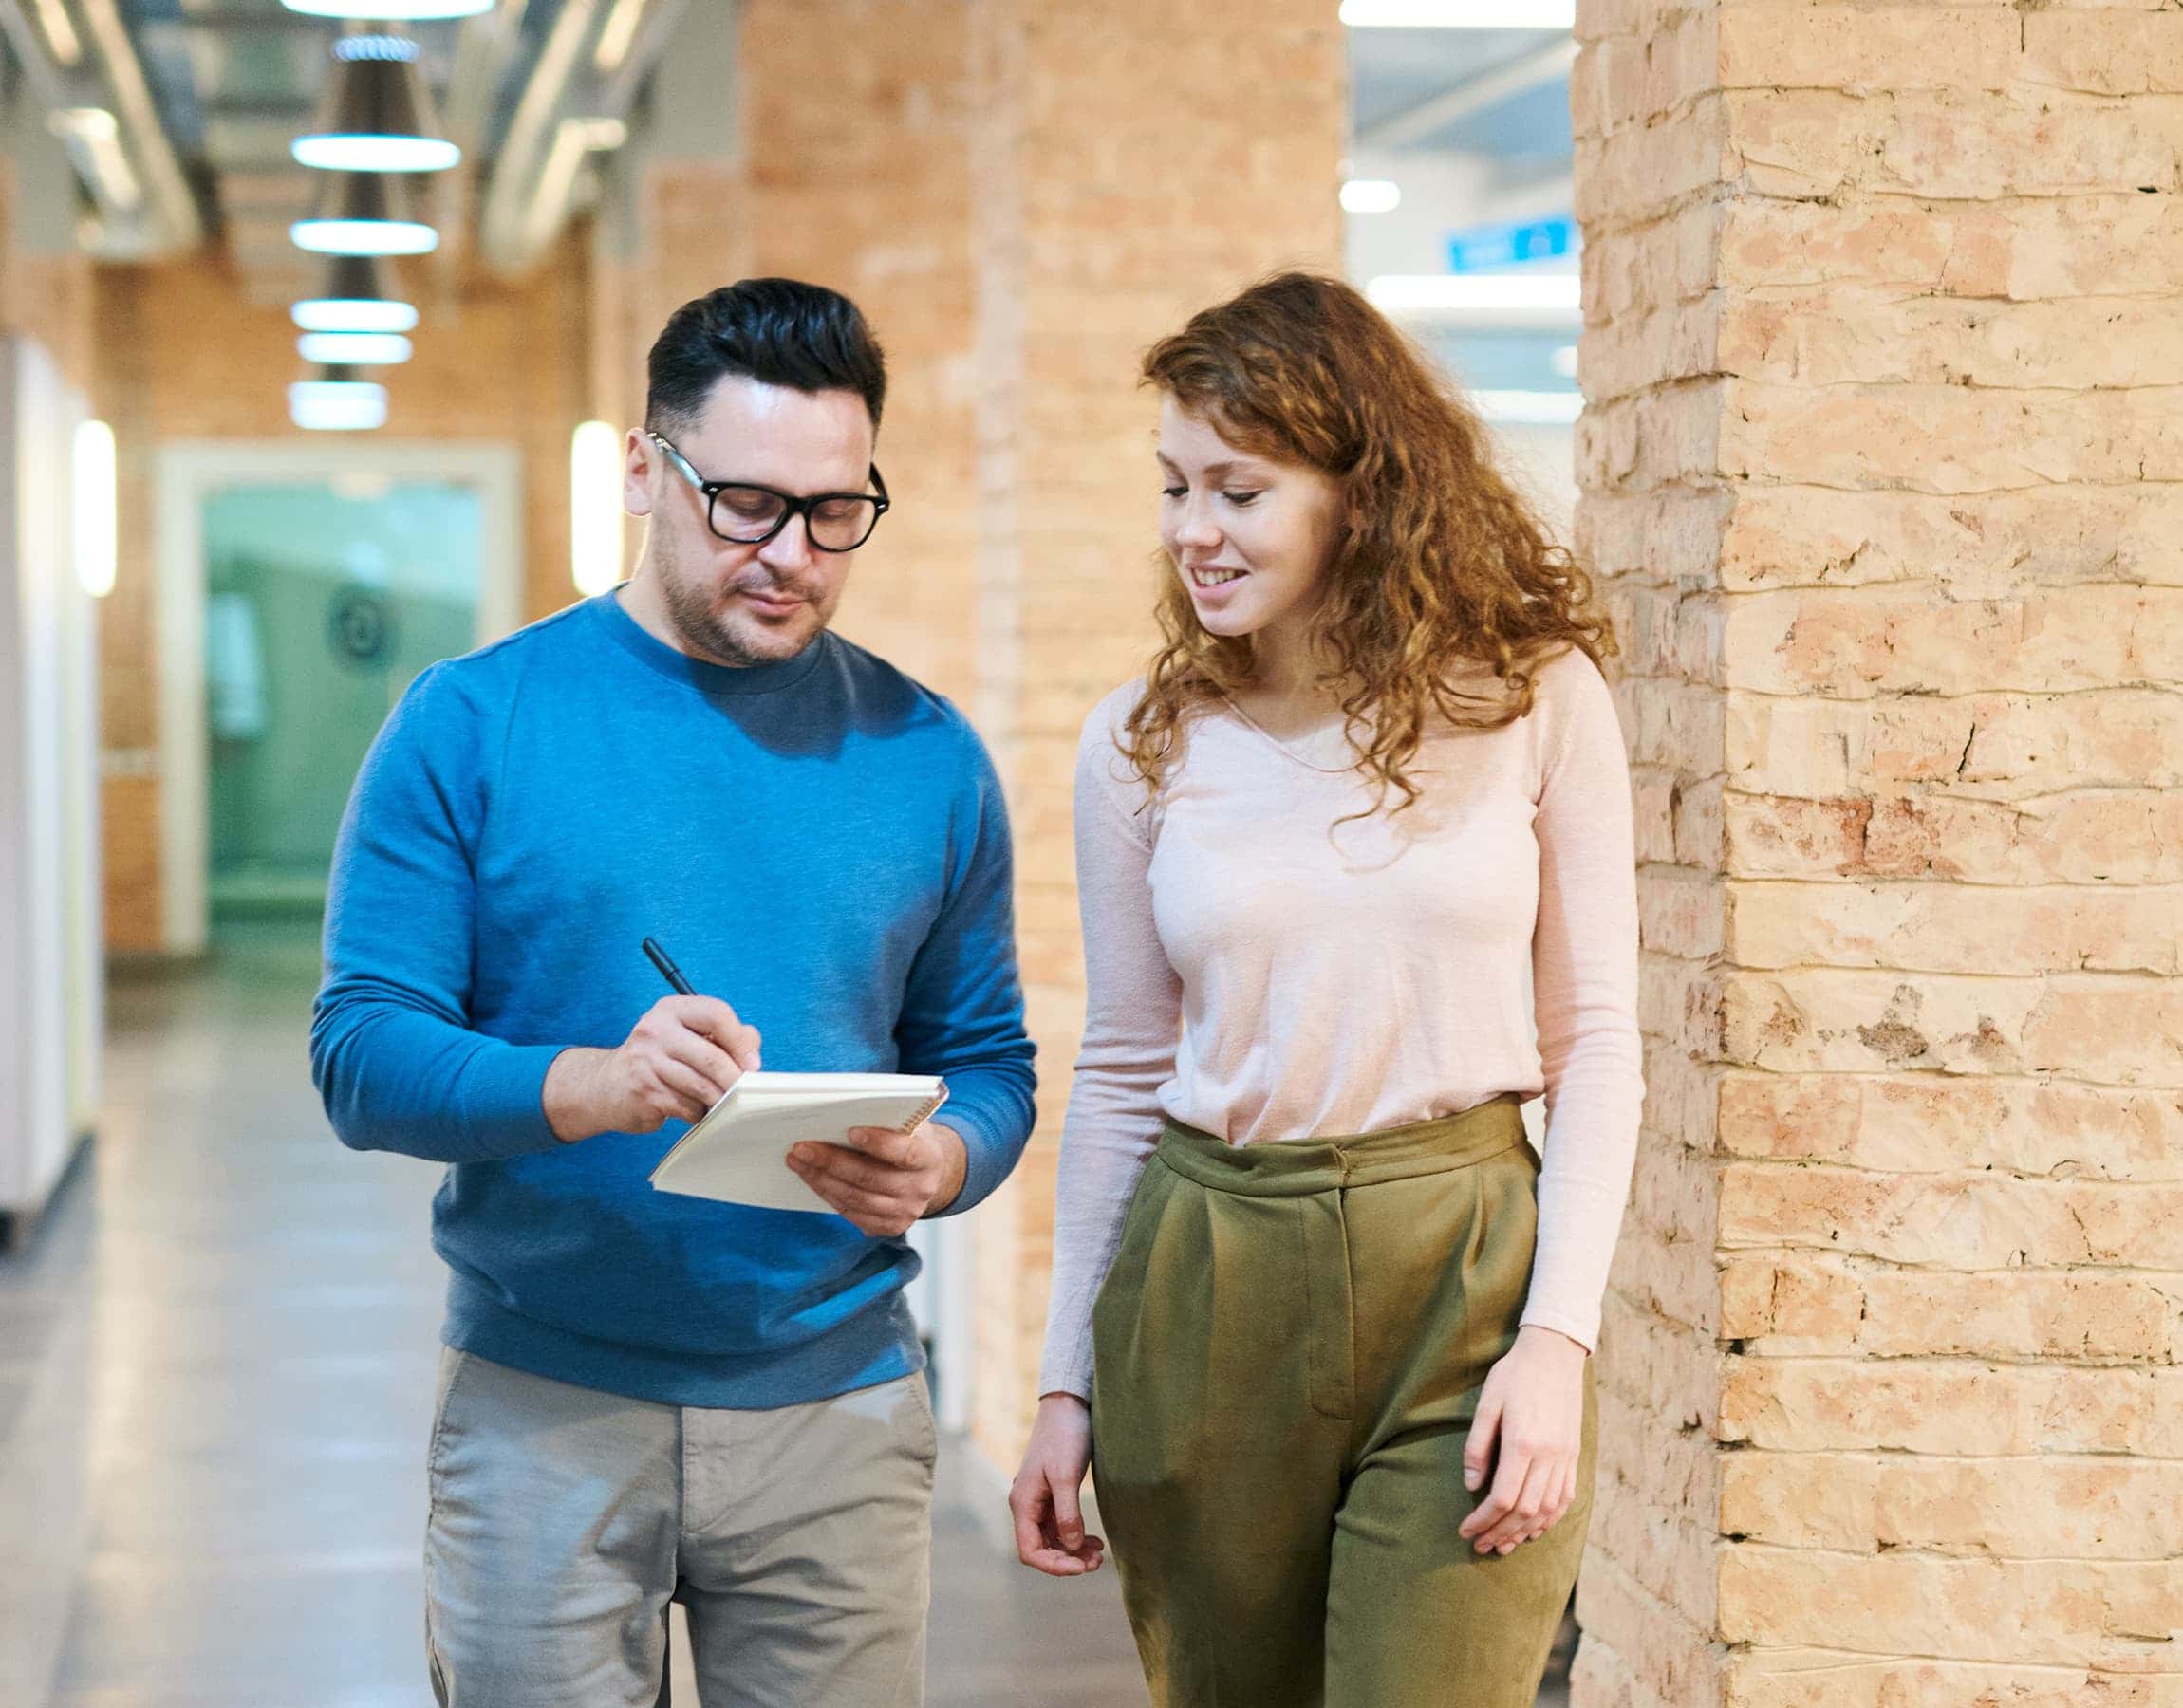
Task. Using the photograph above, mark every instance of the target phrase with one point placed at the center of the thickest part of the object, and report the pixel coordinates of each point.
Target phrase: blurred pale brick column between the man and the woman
(1134, 163)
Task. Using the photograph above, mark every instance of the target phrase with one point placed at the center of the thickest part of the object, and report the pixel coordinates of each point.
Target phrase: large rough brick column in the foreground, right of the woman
(1883, 466)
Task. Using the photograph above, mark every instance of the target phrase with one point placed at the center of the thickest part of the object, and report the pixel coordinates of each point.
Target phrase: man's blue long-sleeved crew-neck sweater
(822, 843)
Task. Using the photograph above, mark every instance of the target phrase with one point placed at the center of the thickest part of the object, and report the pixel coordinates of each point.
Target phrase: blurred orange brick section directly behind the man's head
(833, 145)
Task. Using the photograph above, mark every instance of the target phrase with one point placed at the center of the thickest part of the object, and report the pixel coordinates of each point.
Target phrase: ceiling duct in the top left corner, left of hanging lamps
(86, 73)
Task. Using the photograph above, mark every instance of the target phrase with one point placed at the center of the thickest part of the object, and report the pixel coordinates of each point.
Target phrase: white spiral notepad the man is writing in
(739, 1151)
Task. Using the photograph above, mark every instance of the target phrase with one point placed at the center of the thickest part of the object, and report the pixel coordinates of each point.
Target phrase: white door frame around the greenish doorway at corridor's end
(193, 470)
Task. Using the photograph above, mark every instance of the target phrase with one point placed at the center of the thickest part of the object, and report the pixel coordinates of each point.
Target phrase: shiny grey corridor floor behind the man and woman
(215, 1386)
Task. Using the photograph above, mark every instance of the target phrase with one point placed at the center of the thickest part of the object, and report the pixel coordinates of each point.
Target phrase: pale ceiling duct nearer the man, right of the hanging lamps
(575, 104)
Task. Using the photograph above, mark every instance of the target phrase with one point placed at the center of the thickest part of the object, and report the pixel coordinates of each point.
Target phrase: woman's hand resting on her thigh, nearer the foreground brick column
(1534, 1406)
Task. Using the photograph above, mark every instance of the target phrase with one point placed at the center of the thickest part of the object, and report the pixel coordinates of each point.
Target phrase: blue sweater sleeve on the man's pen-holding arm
(392, 1048)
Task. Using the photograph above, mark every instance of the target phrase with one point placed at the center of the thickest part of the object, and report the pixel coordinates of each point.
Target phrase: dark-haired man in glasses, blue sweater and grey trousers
(647, 1395)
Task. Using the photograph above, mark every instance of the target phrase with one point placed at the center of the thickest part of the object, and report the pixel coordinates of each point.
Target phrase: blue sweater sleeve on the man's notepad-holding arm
(964, 1007)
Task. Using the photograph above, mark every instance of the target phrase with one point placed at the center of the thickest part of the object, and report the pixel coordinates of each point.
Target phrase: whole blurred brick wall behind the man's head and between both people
(1021, 200)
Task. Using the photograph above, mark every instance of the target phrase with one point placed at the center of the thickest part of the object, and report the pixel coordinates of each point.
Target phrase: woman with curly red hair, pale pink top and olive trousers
(1322, 1316)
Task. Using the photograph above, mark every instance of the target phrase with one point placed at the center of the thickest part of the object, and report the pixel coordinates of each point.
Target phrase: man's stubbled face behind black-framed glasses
(745, 605)
